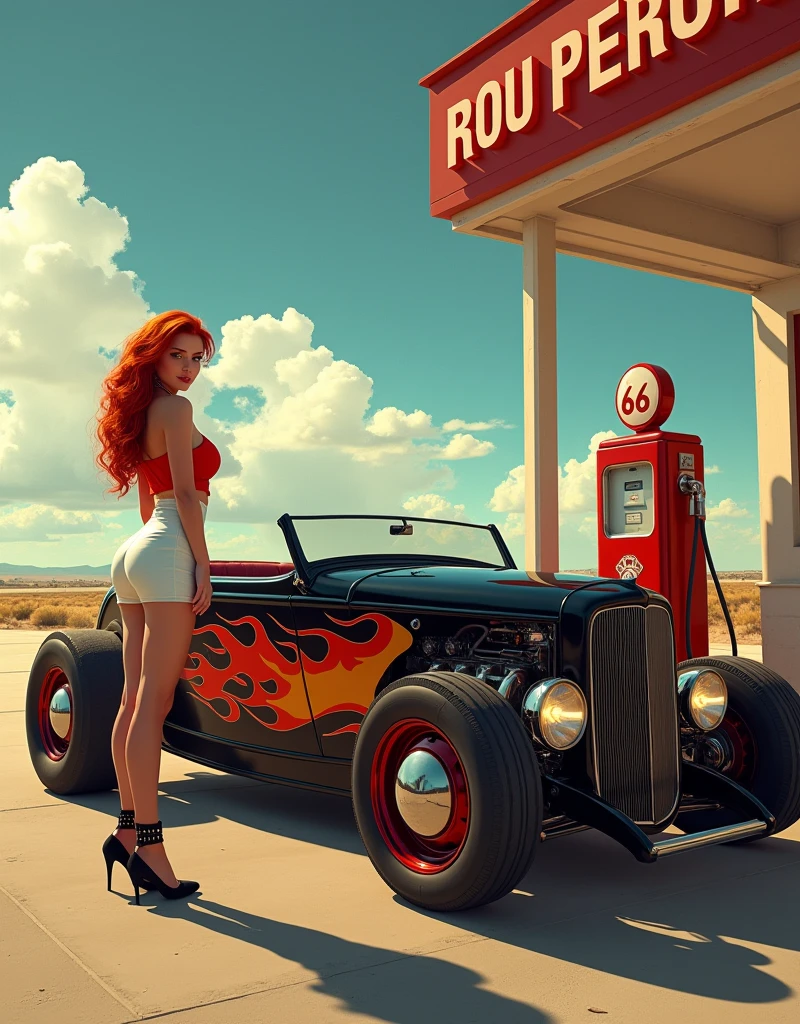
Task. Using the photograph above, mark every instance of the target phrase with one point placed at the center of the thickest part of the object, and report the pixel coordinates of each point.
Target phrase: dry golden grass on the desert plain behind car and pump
(54, 611)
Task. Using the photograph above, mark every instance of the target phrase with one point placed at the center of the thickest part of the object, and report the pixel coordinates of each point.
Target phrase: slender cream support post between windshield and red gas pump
(541, 407)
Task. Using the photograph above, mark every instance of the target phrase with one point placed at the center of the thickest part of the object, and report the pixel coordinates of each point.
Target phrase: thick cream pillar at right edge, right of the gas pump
(779, 460)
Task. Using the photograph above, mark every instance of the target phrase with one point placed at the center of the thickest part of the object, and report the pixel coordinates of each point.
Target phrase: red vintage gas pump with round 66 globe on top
(652, 507)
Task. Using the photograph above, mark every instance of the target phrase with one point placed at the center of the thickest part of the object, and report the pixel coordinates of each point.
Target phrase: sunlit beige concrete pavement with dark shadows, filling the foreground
(293, 925)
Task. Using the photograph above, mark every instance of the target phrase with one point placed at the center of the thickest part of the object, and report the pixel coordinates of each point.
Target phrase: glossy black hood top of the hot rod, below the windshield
(468, 589)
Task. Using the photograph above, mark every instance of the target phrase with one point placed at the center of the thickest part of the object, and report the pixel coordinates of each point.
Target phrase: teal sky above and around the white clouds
(274, 156)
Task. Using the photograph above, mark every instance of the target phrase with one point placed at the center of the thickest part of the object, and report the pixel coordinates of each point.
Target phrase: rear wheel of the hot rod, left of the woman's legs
(74, 694)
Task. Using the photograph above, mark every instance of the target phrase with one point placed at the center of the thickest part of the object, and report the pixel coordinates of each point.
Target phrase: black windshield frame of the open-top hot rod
(308, 571)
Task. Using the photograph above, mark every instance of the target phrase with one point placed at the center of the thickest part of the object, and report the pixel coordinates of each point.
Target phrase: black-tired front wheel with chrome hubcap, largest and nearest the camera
(474, 837)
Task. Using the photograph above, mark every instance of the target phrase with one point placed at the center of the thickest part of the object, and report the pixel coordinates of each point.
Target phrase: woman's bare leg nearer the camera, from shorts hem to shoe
(169, 627)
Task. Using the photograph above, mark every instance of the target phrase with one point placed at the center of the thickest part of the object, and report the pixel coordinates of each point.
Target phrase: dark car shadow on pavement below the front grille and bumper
(694, 934)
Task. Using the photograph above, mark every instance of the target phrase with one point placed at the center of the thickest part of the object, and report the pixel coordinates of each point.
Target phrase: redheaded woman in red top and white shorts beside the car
(162, 573)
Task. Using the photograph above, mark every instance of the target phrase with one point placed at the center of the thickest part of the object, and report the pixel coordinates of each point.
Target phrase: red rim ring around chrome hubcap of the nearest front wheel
(426, 855)
